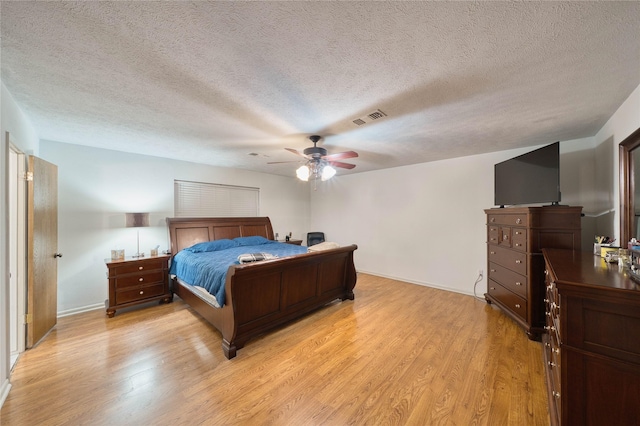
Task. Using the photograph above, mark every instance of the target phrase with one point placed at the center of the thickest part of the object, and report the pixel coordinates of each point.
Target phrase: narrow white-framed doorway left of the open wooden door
(17, 240)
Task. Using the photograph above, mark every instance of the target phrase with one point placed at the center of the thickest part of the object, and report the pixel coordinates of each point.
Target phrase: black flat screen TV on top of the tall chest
(530, 178)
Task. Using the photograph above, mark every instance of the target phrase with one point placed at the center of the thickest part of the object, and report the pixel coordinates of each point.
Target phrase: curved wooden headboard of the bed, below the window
(185, 232)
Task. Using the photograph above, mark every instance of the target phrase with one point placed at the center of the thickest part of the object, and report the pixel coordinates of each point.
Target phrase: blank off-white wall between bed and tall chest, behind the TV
(425, 223)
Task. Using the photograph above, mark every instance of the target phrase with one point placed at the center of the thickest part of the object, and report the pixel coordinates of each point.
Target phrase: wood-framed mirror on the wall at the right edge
(629, 159)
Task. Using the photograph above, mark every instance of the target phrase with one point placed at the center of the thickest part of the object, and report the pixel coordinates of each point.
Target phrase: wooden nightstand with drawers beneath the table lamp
(137, 280)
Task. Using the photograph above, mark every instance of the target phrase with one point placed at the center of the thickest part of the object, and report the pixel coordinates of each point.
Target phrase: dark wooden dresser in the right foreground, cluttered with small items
(592, 350)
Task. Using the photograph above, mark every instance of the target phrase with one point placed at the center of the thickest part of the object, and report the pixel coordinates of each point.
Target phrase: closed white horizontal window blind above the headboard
(199, 199)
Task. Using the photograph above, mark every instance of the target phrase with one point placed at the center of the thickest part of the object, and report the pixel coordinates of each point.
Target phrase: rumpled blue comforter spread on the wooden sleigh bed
(206, 264)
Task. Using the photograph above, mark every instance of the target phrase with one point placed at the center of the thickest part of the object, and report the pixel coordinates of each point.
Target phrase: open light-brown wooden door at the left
(42, 249)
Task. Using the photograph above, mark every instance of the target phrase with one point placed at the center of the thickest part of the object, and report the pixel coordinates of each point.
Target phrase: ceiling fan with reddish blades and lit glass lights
(318, 163)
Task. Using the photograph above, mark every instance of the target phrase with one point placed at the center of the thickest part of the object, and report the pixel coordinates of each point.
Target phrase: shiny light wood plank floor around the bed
(400, 354)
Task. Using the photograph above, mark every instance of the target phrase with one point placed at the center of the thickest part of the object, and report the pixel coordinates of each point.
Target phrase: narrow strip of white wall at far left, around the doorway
(24, 137)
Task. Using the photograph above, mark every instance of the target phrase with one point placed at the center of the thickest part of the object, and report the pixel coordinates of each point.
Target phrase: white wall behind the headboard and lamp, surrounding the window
(96, 187)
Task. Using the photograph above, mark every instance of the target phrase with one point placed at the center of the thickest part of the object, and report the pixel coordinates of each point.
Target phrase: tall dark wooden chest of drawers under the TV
(515, 266)
